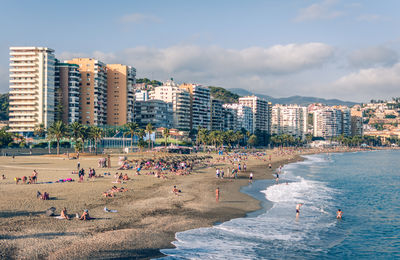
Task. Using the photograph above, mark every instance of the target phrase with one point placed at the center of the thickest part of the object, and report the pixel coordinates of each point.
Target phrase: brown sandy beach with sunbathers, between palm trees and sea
(149, 213)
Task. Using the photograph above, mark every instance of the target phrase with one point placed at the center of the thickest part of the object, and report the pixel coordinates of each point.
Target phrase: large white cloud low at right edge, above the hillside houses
(383, 82)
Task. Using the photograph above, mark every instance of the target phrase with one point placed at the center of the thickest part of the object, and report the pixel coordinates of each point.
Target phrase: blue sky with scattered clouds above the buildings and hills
(323, 48)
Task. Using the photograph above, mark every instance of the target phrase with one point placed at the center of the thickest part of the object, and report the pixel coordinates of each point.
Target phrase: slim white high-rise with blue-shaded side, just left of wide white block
(262, 110)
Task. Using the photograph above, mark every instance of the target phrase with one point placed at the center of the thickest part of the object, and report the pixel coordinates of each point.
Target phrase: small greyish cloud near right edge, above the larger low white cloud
(373, 56)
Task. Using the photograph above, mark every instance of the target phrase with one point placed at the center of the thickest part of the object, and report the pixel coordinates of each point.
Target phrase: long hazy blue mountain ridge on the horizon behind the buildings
(299, 100)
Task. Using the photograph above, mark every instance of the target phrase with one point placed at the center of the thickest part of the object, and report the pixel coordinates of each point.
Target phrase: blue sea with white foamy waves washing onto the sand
(365, 185)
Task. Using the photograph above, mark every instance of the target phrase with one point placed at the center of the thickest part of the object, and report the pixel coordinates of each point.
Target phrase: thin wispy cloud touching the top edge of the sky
(322, 10)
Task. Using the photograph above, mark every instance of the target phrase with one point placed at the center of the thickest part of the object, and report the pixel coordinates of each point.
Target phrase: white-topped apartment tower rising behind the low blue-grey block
(171, 93)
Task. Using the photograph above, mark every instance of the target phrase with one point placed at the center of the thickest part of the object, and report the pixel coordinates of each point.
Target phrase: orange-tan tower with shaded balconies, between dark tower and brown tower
(93, 91)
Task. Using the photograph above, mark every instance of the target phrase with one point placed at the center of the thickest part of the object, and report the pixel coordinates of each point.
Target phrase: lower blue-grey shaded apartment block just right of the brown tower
(156, 112)
